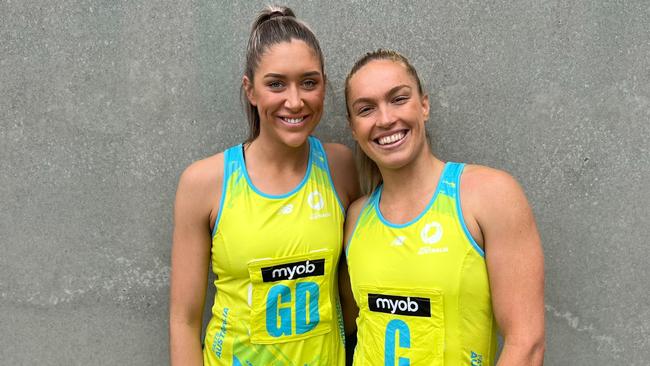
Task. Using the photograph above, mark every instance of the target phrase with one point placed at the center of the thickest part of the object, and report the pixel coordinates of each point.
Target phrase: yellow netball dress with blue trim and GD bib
(275, 258)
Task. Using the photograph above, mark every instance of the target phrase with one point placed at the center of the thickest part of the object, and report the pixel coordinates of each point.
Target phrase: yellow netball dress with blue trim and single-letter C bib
(422, 287)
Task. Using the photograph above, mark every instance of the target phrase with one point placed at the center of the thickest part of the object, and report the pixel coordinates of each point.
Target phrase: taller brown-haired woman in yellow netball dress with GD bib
(268, 214)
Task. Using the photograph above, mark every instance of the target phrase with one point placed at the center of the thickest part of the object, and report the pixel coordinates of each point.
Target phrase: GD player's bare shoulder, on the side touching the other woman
(344, 171)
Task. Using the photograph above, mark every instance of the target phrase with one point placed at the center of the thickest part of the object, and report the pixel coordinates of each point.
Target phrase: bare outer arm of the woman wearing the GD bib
(198, 188)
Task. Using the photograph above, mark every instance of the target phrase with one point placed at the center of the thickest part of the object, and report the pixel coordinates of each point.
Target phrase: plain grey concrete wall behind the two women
(102, 105)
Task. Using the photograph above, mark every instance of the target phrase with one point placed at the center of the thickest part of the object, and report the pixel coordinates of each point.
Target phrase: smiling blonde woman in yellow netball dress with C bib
(440, 254)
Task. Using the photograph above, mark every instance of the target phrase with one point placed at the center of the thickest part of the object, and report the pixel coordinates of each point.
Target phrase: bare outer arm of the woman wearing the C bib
(515, 263)
